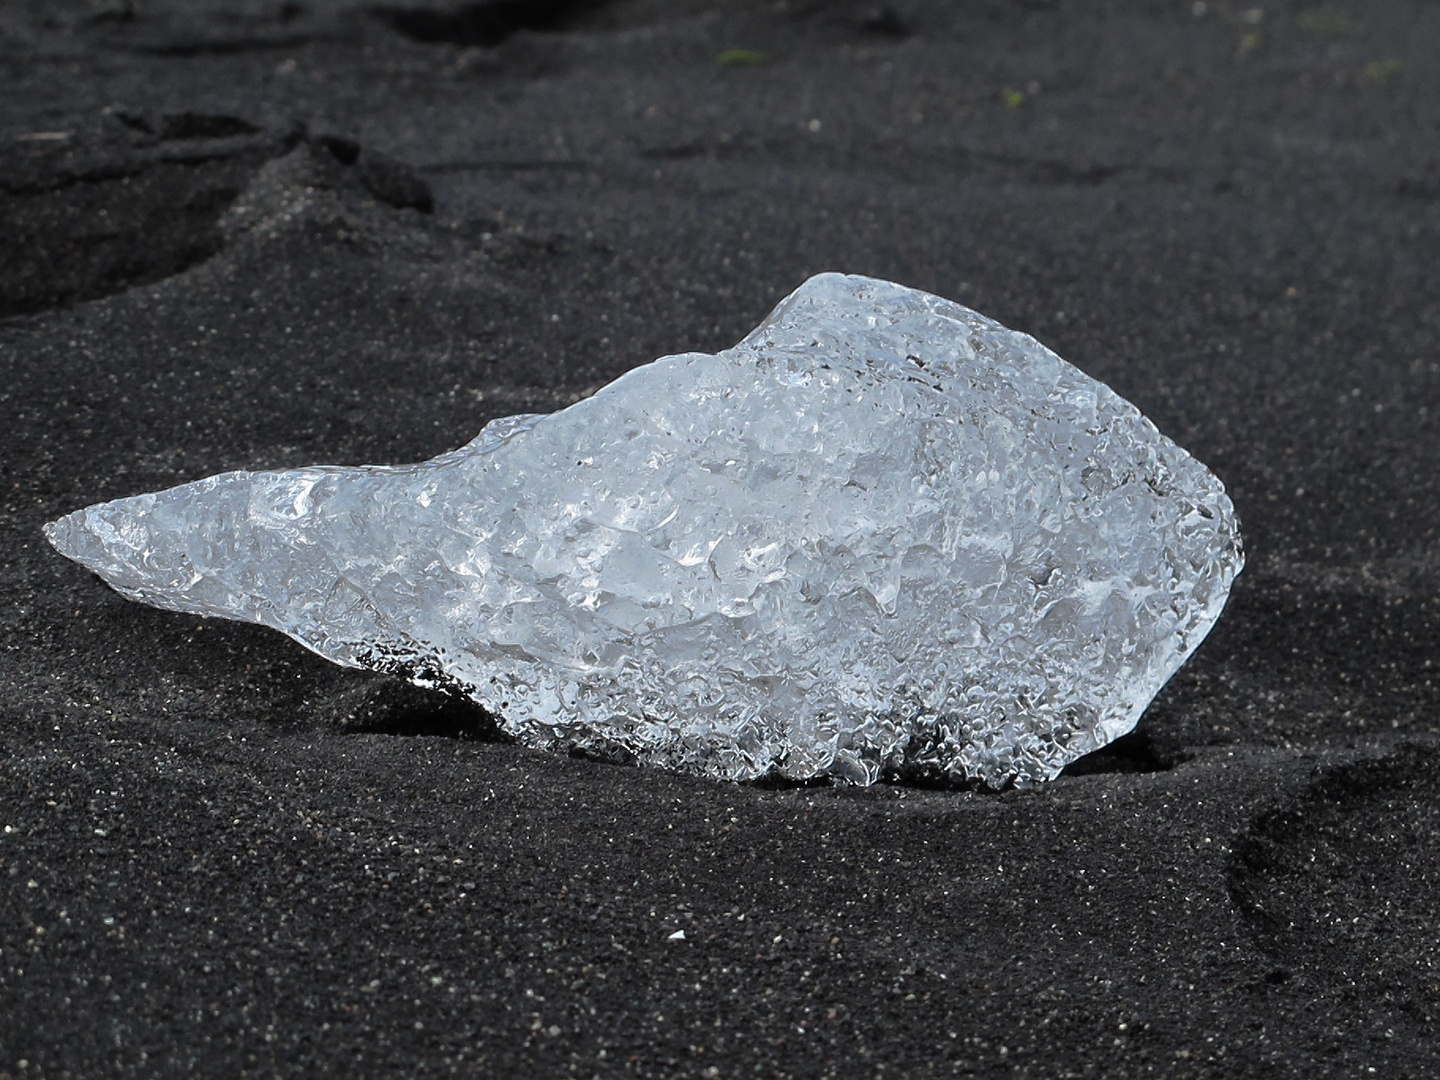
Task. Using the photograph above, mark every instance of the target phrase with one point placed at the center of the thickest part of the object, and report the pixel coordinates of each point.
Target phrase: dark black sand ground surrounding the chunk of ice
(247, 234)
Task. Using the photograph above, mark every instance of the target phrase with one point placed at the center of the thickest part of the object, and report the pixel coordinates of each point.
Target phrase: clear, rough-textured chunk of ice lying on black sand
(882, 535)
